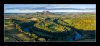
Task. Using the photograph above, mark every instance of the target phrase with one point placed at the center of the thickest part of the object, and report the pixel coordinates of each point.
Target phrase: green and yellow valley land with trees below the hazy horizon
(51, 27)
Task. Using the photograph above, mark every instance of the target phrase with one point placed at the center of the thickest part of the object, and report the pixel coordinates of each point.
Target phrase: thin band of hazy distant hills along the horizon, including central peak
(59, 13)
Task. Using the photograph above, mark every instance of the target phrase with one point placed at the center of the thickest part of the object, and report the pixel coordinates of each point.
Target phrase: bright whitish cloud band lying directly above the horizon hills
(32, 11)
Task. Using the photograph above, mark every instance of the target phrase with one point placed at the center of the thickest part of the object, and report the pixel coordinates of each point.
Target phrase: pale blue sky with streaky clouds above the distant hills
(30, 8)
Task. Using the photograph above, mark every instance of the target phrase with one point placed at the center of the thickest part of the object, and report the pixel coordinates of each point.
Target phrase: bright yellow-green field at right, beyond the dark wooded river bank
(83, 22)
